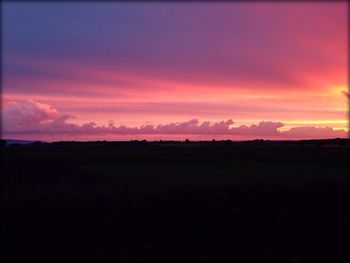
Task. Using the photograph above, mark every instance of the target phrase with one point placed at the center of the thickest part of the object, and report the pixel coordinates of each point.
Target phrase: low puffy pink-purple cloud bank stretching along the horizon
(31, 117)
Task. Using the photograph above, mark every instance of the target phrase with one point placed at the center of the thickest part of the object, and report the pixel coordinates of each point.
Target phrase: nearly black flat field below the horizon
(176, 202)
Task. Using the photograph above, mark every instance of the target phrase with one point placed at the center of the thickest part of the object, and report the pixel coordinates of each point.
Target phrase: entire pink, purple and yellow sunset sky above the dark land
(121, 71)
